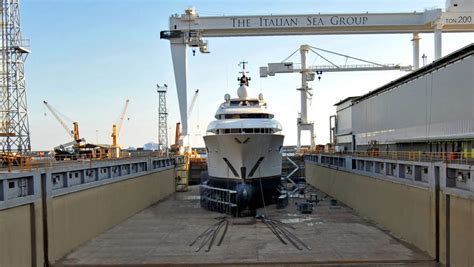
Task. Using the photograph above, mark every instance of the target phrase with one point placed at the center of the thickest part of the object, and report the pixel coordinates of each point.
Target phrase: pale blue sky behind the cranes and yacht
(89, 56)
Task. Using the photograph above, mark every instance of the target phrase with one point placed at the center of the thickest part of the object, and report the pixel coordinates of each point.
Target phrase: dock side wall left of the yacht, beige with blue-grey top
(47, 213)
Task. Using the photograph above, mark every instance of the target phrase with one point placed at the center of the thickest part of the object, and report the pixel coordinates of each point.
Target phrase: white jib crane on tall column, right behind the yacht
(308, 74)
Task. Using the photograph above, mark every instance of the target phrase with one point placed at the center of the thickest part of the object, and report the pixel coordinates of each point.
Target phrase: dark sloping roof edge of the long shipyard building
(448, 59)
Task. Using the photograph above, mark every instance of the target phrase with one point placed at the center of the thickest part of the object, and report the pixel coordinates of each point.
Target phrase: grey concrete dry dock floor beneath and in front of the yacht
(160, 235)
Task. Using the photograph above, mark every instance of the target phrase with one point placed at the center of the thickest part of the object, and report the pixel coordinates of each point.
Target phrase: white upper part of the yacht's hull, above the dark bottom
(244, 156)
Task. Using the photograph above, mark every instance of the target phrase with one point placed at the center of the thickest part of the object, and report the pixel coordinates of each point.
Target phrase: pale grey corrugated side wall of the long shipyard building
(436, 105)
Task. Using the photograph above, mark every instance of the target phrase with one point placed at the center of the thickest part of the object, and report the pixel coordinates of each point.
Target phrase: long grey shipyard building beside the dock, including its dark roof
(428, 110)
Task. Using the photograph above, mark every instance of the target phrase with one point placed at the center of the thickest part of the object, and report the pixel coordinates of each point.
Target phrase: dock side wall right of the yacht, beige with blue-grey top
(423, 206)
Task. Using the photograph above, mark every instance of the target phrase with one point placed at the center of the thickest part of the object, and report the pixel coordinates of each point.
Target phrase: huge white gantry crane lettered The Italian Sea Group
(191, 29)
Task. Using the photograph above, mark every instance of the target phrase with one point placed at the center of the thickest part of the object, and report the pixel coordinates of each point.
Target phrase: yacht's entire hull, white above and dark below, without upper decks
(249, 164)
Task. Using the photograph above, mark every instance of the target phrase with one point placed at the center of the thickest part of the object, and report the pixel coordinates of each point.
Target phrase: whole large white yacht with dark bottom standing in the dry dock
(243, 147)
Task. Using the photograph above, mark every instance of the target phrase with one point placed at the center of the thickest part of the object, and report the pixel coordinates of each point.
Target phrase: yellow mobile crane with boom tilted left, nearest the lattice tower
(72, 150)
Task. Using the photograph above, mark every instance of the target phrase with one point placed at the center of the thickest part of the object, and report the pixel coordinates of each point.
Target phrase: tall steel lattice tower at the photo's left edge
(14, 127)
